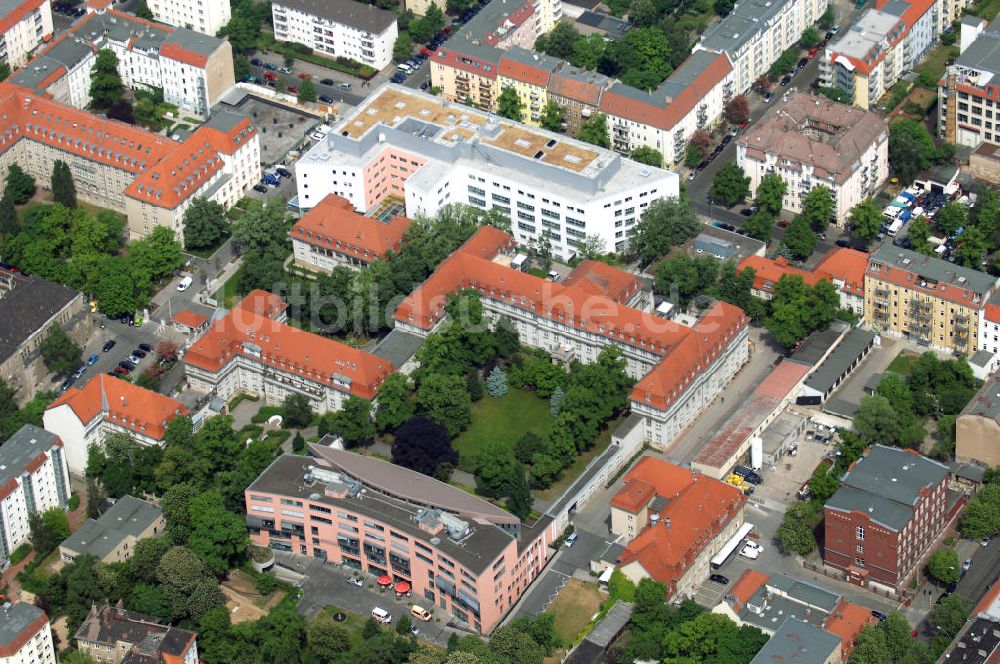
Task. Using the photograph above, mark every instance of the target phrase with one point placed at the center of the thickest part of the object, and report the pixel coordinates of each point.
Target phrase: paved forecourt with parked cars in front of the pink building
(325, 584)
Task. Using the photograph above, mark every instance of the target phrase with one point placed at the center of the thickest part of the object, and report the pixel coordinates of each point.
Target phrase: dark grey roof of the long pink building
(286, 476)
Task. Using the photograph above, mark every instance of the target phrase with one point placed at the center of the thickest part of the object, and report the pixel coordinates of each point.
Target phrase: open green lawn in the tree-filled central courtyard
(503, 420)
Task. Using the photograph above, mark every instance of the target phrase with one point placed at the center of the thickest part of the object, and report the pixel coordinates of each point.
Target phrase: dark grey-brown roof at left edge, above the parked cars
(26, 308)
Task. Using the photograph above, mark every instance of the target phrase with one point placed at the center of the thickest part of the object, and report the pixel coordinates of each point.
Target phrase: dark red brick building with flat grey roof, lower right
(889, 509)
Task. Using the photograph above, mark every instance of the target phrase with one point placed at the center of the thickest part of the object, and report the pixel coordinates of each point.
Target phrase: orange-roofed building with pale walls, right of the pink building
(676, 519)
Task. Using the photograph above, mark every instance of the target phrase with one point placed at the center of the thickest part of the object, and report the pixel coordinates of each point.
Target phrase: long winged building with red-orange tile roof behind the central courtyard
(680, 369)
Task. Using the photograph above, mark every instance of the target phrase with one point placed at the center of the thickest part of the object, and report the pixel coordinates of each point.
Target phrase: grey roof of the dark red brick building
(886, 484)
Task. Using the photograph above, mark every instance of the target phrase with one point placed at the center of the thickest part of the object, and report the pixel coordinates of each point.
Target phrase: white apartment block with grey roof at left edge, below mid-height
(33, 479)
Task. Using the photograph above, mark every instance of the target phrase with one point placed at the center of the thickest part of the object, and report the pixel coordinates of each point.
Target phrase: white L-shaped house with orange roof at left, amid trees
(85, 416)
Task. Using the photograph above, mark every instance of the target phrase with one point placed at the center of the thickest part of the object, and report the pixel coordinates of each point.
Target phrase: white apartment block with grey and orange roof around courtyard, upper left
(194, 70)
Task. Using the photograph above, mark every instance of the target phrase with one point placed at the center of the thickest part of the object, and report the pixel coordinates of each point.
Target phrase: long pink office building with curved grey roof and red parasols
(456, 554)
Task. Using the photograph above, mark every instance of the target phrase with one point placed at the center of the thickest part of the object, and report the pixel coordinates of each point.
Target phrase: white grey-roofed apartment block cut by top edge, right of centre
(755, 34)
